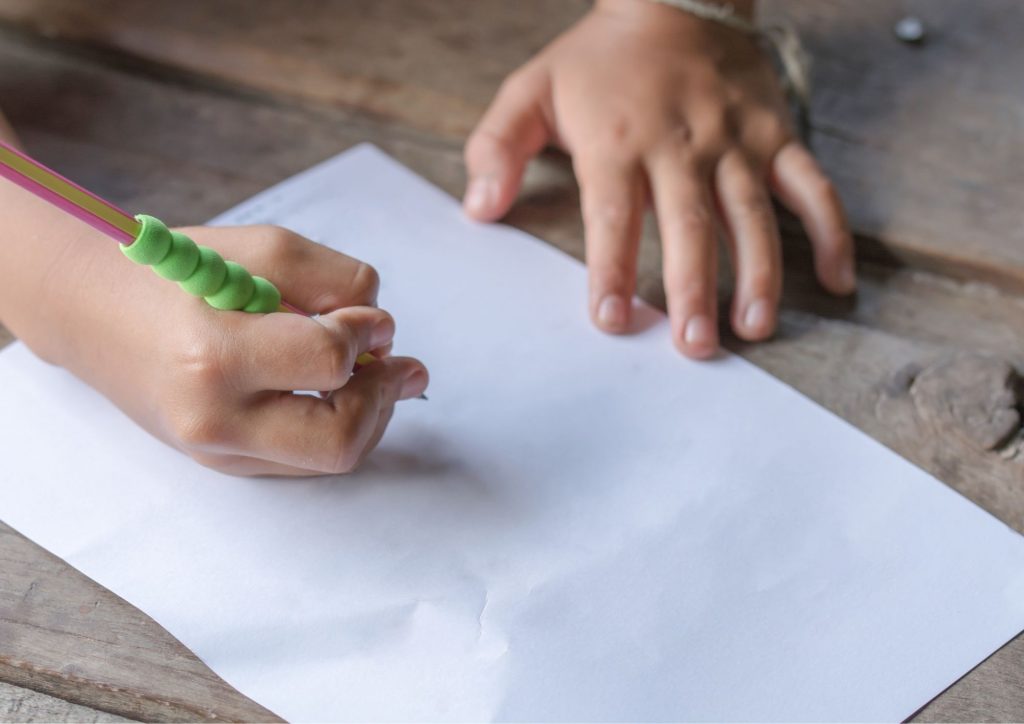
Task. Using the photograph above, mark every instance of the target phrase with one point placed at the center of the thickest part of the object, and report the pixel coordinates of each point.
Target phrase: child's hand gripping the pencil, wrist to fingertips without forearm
(225, 392)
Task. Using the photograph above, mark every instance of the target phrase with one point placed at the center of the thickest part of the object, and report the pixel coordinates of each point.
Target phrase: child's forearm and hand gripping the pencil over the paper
(215, 385)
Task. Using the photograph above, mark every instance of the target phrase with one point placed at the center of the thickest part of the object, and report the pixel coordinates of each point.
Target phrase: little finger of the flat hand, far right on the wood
(799, 183)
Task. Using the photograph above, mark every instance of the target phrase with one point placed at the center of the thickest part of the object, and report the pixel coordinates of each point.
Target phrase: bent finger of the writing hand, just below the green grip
(288, 353)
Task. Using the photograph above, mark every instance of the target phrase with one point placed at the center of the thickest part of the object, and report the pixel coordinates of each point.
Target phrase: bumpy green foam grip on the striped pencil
(200, 271)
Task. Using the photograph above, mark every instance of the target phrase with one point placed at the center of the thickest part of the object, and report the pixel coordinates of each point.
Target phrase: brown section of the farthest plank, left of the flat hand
(406, 62)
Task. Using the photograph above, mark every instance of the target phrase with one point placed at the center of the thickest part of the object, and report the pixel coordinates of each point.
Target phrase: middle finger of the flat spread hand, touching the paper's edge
(690, 254)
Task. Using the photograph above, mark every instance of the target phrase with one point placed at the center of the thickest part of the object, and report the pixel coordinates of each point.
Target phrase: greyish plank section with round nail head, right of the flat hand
(924, 141)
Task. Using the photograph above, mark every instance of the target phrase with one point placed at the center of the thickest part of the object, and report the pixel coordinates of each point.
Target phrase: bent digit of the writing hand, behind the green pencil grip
(312, 277)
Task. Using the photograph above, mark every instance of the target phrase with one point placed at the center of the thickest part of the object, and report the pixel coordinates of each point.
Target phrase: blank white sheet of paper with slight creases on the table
(575, 528)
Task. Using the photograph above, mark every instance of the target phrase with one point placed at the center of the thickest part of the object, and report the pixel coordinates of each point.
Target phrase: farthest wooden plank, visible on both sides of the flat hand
(924, 142)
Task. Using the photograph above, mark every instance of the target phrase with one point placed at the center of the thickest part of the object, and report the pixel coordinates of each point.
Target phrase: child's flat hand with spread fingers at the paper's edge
(655, 104)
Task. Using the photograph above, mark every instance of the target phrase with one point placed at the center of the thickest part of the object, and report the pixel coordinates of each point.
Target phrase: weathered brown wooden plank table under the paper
(185, 109)
